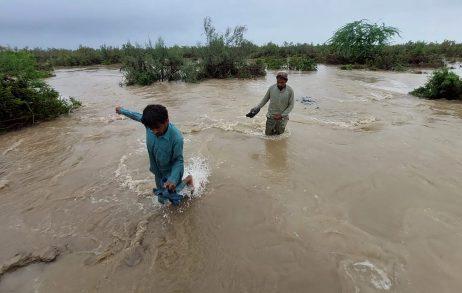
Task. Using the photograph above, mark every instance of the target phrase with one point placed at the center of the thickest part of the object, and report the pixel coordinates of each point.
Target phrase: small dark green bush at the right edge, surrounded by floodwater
(443, 84)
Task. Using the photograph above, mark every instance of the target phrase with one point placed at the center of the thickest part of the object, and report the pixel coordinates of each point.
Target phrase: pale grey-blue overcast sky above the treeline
(68, 23)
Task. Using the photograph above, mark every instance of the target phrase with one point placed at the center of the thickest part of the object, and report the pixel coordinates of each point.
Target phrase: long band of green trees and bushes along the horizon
(356, 45)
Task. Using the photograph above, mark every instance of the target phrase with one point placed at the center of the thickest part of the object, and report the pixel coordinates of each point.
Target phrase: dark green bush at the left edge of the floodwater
(24, 99)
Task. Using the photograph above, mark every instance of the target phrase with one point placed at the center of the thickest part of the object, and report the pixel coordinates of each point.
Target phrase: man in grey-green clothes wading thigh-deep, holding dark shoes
(281, 97)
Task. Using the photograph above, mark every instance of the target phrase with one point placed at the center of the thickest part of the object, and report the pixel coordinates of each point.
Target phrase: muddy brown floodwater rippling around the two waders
(363, 194)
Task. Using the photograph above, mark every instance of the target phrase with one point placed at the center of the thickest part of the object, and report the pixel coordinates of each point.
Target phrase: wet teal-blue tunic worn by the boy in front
(165, 152)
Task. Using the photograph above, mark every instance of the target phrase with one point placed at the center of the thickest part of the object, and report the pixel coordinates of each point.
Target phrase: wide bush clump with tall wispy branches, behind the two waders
(223, 56)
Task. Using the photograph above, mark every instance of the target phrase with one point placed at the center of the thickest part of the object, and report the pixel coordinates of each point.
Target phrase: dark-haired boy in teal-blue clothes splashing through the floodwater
(165, 149)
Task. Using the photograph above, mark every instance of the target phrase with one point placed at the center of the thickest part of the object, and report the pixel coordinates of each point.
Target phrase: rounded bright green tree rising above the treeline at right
(361, 41)
